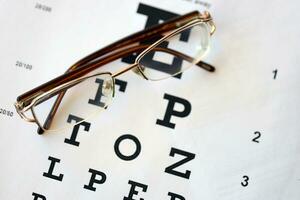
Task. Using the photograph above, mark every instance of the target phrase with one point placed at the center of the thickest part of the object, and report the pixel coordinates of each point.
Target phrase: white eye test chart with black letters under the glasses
(230, 134)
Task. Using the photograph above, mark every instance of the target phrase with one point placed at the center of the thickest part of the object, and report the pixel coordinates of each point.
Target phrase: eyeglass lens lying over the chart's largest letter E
(177, 53)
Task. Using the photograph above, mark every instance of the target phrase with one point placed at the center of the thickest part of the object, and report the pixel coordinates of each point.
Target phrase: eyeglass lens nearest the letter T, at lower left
(83, 100)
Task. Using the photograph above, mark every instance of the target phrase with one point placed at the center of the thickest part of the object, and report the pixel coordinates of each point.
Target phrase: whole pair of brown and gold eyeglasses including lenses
(163, 51)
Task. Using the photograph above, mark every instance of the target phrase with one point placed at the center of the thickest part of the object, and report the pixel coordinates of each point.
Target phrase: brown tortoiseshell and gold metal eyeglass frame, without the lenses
(119, 49)
